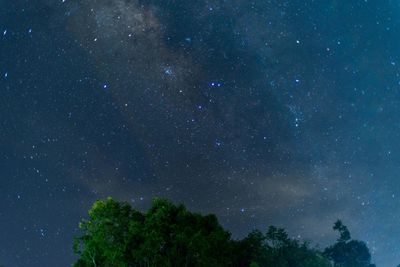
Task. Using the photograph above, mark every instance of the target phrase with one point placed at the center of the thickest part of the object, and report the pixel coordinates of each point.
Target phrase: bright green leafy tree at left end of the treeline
(112, 230)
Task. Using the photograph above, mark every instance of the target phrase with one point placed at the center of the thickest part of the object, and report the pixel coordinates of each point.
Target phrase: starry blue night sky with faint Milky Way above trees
(262, 112)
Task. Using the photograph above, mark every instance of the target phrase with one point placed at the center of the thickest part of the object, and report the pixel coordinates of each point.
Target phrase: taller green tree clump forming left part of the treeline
(167, 235)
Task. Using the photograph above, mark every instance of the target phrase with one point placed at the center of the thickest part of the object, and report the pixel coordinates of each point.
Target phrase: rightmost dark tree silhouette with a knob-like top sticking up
(347, 252)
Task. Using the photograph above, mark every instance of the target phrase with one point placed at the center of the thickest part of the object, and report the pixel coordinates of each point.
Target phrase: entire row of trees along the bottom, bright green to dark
(170, 236)
